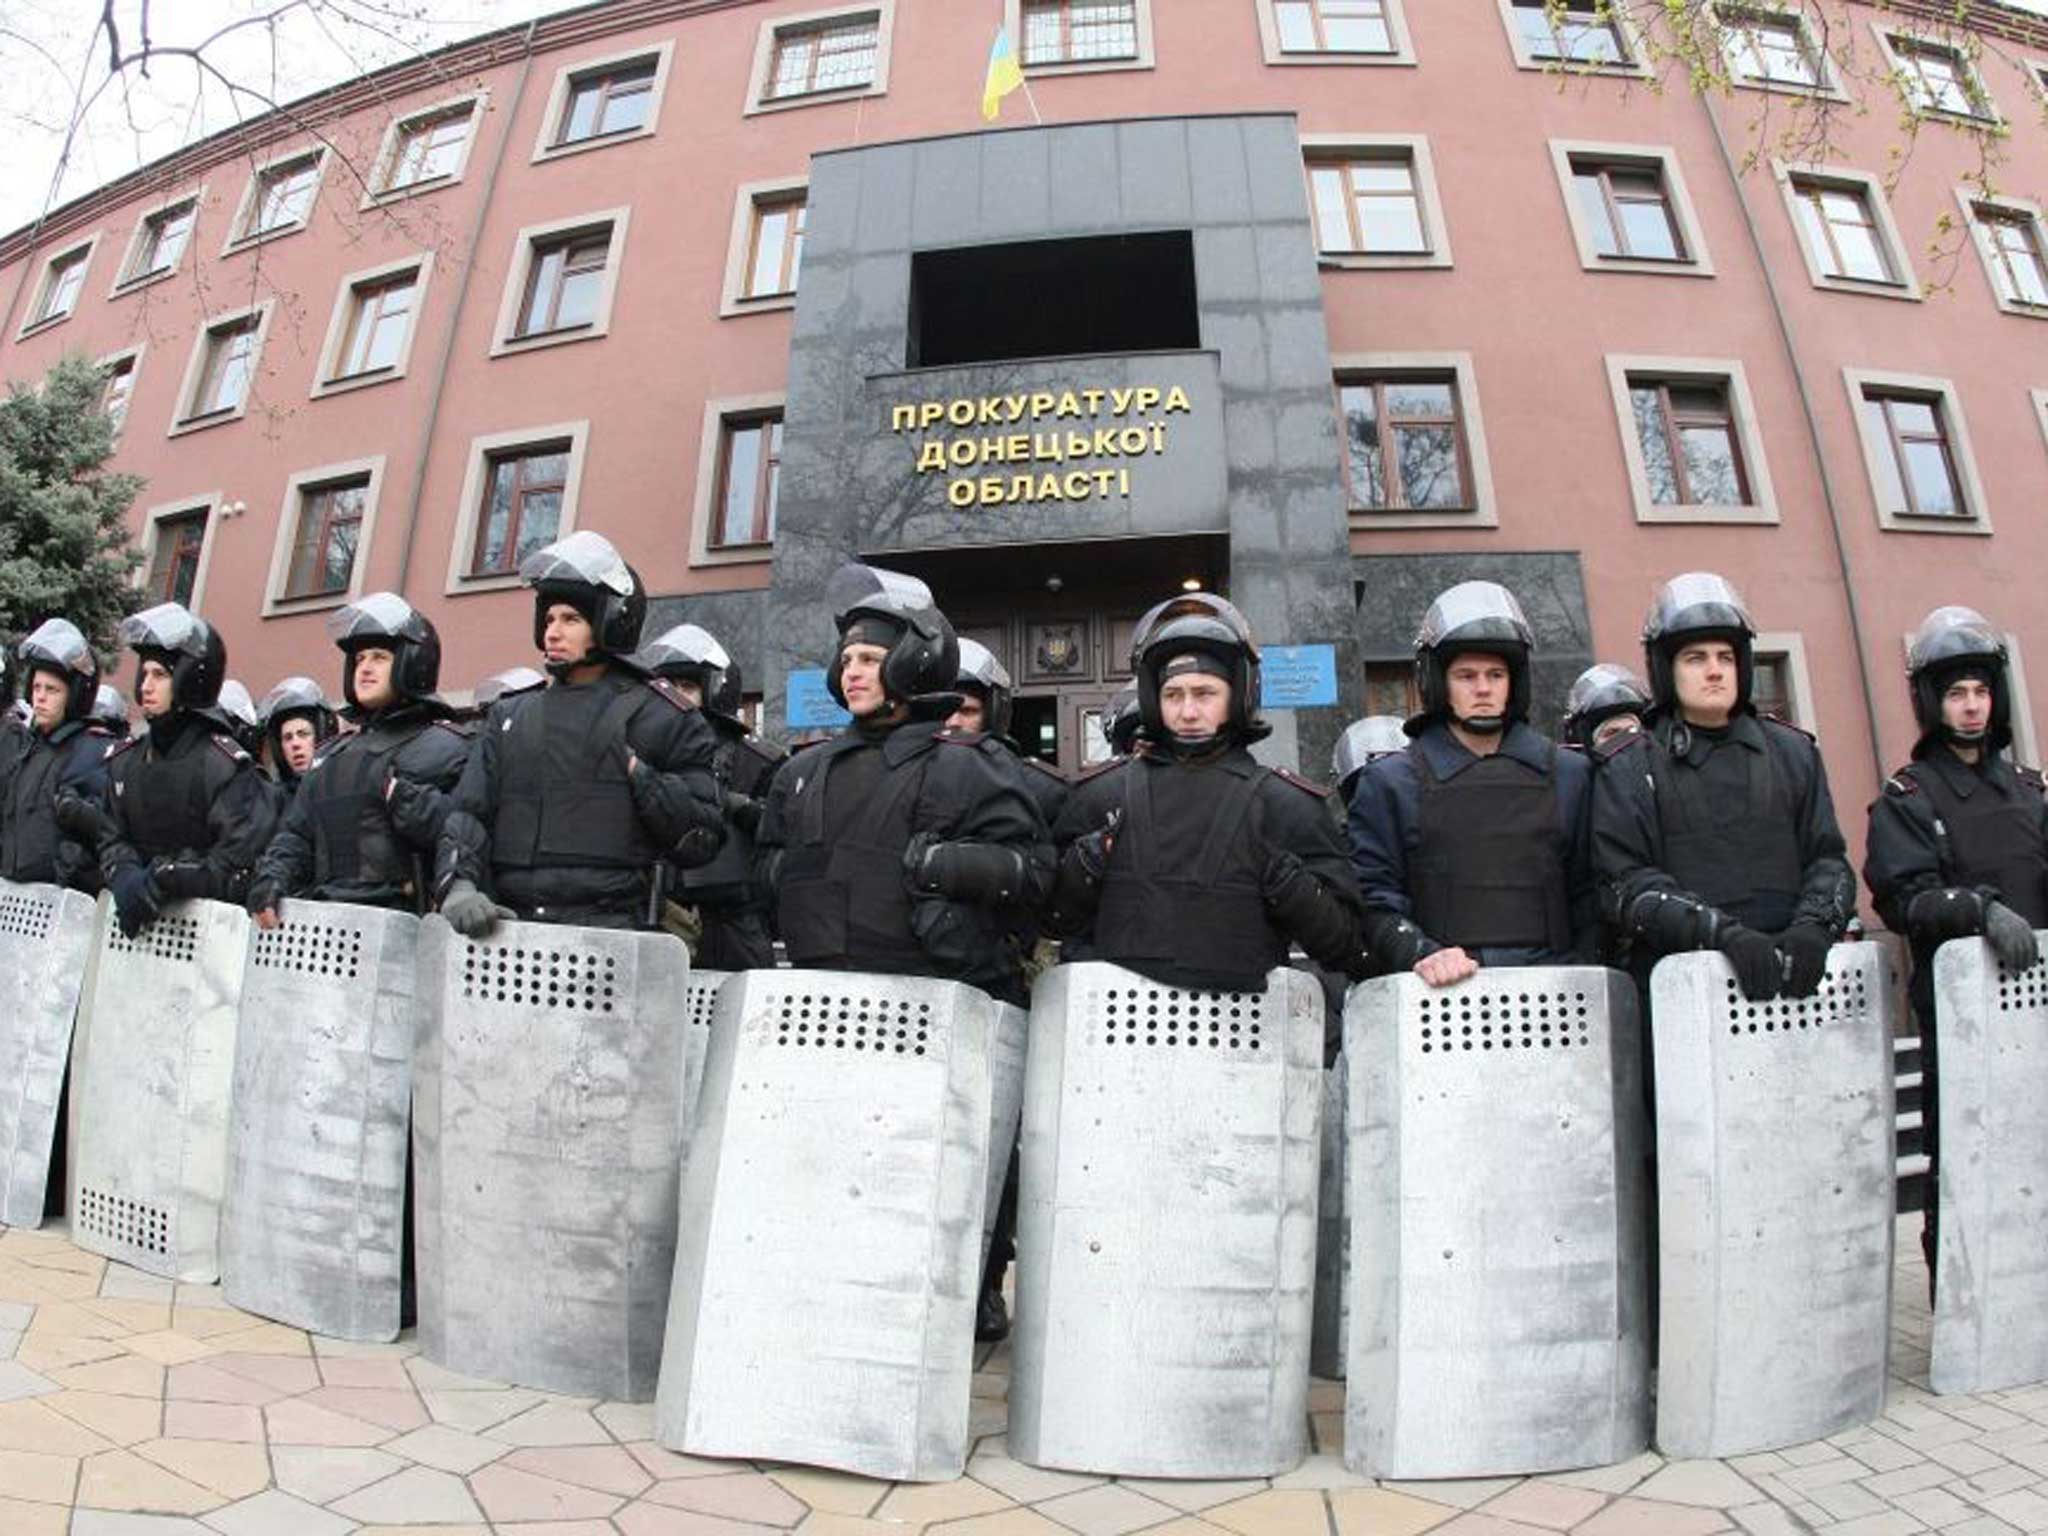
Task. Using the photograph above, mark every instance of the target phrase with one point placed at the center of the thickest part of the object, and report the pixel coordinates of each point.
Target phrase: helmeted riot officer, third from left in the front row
(372, 806)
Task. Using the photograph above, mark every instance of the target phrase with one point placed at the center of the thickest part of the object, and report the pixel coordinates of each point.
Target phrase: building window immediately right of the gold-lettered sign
(1404, 443)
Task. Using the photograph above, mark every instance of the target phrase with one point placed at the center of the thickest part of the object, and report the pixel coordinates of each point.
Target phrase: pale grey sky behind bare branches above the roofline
(52, 54)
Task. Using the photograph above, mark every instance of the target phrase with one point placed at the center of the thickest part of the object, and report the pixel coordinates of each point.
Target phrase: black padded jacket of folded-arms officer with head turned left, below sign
(845, 812)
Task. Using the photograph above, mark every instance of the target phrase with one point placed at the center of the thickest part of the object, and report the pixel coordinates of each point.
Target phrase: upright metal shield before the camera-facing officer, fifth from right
(1166, 1226)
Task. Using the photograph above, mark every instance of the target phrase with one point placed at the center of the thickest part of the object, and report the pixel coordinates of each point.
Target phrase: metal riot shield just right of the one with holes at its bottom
(312, 1232)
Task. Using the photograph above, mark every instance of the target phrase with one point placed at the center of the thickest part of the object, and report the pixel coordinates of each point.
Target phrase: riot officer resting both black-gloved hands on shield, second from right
(1715, 828)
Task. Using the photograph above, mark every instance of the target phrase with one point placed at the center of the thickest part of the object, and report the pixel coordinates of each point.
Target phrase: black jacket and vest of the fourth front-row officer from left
(550, 820)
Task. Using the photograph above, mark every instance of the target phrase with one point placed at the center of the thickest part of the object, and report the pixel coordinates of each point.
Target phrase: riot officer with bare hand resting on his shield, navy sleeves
(1474, 845)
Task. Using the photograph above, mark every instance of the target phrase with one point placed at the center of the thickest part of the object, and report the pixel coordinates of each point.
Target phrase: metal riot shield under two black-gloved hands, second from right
(1775, 1197)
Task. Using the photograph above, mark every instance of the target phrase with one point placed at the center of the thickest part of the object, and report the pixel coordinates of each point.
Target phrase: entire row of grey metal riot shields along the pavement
(763, 1199)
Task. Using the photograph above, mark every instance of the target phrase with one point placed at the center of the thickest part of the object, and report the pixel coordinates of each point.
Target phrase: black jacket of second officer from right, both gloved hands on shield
(1738, 820)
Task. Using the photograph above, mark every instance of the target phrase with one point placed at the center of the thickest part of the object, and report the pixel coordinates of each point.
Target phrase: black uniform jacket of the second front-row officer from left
(183, 792)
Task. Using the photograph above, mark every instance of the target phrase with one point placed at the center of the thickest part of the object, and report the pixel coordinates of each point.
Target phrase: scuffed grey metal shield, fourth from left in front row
(548, 1129)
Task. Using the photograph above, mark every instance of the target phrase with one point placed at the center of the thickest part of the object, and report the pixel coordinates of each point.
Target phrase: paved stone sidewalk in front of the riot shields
(136, 1408)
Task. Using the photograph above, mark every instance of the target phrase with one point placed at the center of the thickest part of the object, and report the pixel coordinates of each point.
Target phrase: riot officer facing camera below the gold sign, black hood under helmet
(1191, 863)
